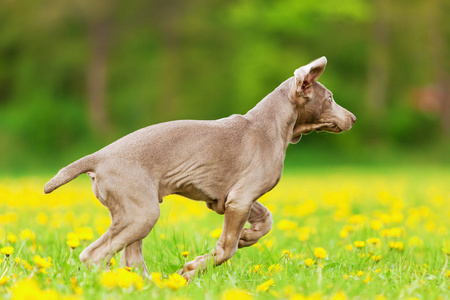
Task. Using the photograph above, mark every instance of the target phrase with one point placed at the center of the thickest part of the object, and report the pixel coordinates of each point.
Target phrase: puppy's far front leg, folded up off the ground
(260, 220)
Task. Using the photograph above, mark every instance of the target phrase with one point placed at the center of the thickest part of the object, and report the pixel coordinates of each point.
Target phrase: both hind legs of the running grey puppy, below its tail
(134, 211)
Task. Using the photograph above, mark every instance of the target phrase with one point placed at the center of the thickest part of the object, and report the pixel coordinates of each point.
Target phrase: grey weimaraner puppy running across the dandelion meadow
(228, 163)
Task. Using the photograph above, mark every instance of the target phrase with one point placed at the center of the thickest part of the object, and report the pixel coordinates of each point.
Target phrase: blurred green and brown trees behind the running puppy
(75, 75)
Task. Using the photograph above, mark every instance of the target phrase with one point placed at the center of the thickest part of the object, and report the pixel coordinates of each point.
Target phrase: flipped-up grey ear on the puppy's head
(307, 75)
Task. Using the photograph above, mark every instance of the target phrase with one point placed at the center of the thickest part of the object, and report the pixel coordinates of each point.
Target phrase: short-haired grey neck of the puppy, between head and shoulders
(277, 113)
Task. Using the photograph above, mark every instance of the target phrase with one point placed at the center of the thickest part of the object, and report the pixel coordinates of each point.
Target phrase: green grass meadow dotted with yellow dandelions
(355, 233)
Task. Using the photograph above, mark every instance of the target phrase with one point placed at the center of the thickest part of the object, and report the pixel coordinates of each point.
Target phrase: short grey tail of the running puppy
(71, 172)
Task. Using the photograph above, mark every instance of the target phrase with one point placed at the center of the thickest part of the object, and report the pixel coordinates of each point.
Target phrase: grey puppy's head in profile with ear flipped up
(315, 105)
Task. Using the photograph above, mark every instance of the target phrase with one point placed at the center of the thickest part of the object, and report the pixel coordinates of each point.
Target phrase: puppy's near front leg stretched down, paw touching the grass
(236, 214)
